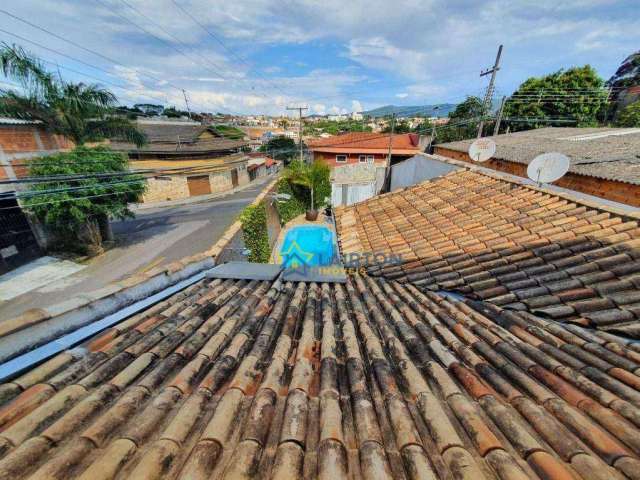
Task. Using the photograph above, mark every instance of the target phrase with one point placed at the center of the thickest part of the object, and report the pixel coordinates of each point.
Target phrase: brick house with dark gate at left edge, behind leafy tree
(20, 142)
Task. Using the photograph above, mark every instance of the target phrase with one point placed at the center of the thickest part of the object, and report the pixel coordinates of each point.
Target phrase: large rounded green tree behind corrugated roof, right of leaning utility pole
(577, 94)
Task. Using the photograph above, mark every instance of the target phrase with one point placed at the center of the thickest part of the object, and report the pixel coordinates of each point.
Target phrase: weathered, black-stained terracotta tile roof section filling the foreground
(372, 379)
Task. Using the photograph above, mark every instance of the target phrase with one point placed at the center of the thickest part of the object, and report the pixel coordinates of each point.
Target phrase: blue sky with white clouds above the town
(257, 56)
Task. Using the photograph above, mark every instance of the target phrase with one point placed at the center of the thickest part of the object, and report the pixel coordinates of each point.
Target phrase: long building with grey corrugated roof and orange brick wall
(604, 161)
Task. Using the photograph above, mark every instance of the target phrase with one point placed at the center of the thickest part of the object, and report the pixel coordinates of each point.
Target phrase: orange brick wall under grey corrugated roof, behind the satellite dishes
(610, 189)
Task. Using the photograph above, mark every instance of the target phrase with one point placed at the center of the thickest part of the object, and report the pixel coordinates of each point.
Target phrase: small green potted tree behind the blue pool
(312, 182)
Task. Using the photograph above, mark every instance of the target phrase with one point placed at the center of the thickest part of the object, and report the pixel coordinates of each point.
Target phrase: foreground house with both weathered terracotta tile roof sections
(492, 351)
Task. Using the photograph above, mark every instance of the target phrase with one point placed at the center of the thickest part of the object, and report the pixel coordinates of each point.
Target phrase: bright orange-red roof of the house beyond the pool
(357, 141)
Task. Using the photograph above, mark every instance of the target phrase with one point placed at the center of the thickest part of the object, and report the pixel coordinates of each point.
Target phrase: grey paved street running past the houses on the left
(156, 236)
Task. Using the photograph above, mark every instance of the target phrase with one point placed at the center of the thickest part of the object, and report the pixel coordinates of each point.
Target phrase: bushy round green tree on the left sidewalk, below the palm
(78, 191)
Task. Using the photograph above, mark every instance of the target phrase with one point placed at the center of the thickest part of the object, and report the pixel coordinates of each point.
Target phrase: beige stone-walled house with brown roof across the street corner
(190, 160)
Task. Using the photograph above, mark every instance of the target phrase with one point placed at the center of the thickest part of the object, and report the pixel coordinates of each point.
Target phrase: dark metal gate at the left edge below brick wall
(18, 244)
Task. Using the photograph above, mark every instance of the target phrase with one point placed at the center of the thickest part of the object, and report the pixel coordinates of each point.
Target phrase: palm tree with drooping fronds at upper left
(79, 111)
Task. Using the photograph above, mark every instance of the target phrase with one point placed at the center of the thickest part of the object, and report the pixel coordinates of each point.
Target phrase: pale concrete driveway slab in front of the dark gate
(35, 274)
